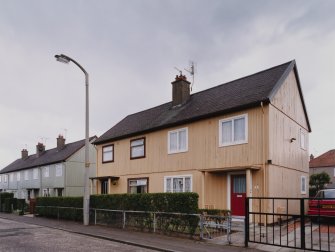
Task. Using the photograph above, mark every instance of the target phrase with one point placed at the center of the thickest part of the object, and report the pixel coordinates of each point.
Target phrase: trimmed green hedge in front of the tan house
(64, 207)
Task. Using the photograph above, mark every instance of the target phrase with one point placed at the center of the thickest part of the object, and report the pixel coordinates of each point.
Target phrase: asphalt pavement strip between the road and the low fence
(140, 239)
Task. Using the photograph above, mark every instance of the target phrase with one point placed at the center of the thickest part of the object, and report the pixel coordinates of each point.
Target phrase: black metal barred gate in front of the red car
(285, 222)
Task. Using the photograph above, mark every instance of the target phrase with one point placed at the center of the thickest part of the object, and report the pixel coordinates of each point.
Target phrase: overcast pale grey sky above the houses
(131, 49)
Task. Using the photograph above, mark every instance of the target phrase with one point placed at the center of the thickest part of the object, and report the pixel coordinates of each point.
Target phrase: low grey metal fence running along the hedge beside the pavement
(200, 226)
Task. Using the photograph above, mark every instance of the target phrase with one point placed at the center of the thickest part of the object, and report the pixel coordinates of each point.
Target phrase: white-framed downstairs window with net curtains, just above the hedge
(178, 184)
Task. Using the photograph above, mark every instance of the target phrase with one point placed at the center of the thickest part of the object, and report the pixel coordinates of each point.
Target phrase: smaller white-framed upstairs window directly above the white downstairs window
(178, 141)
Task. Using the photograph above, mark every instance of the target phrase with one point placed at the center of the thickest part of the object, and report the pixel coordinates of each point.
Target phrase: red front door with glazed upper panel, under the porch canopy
(238, 193)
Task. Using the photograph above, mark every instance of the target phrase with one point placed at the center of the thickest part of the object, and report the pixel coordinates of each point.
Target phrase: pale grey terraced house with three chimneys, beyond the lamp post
(55, 172)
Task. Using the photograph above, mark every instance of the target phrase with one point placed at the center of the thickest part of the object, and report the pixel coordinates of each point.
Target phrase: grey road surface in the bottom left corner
(16, 236)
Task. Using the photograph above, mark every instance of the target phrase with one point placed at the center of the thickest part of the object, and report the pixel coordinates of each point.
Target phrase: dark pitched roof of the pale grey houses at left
(47, 157)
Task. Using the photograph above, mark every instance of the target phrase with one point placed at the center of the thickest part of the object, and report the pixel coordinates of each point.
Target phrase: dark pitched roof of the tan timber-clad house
(236, 95)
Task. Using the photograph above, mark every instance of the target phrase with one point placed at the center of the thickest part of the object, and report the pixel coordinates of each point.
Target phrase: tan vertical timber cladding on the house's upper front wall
(203, 149)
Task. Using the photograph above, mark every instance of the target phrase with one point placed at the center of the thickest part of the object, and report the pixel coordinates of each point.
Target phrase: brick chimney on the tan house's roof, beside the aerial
(180, 90)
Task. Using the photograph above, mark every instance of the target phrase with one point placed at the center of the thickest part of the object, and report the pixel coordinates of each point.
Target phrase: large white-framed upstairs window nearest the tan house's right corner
(233, 130)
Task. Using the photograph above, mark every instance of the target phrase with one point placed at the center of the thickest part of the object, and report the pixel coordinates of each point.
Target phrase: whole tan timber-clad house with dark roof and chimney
(248, 137)
